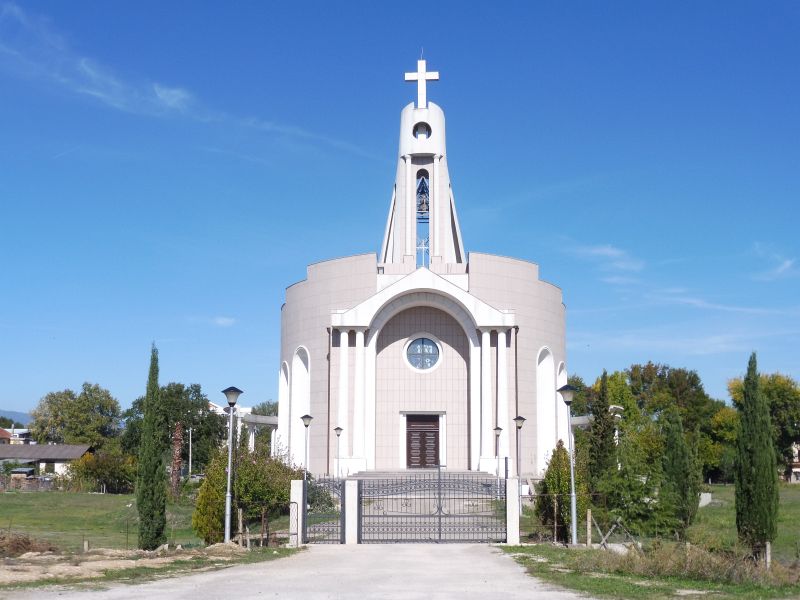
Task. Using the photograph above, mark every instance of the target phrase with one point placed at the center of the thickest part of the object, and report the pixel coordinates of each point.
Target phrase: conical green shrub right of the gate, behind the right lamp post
(553, 501)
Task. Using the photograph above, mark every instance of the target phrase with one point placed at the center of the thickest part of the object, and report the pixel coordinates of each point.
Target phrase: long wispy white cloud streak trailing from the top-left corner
(29, 47)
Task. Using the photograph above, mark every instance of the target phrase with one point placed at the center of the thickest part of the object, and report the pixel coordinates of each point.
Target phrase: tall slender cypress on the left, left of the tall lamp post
(151, 483)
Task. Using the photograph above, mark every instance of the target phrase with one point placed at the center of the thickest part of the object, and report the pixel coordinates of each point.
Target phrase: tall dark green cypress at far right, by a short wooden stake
(756, 470)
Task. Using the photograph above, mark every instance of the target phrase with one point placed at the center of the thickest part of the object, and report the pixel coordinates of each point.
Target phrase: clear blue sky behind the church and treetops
(167, 169)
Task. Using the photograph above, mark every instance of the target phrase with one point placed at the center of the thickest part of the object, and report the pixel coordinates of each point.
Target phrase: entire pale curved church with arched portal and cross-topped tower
(423, 355)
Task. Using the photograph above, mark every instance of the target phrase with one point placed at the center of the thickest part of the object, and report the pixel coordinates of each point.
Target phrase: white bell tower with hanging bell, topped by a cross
(422, 229)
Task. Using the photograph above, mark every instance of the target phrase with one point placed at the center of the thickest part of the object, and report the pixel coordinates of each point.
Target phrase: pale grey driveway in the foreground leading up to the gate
(358, 572)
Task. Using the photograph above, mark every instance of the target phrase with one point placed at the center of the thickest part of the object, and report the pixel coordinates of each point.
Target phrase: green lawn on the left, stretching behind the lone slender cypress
(66, 519)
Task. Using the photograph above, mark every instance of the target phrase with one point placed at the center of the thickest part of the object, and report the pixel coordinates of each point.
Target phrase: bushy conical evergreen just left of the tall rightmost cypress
(681, 482)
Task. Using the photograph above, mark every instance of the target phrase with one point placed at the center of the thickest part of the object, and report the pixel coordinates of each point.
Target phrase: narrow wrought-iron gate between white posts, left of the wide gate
(323, 504)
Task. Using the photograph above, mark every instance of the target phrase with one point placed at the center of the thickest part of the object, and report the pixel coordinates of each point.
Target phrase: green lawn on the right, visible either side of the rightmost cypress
(715, 525)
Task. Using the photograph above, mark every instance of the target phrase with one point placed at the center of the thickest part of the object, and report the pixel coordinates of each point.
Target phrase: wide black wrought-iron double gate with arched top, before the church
(432, 507)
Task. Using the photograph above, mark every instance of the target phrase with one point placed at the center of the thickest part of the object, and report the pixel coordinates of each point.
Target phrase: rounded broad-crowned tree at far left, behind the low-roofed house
(91, 417)
